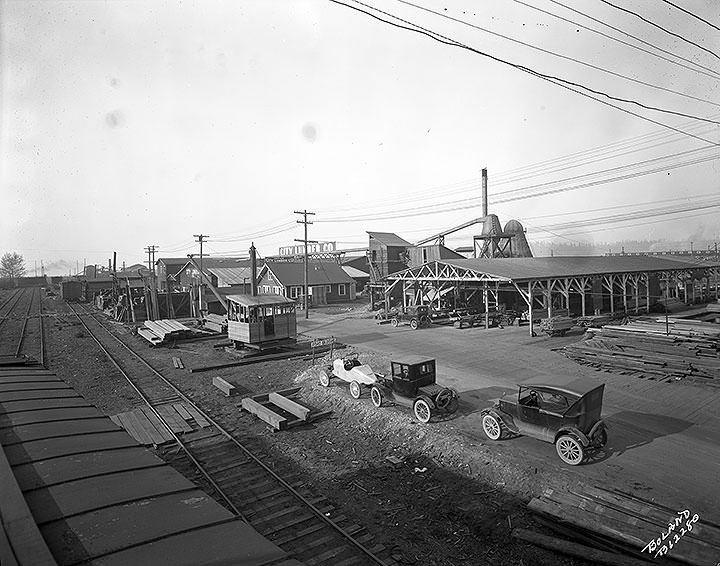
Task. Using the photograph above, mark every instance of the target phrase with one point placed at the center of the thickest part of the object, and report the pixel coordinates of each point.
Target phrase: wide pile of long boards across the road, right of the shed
(681, 349)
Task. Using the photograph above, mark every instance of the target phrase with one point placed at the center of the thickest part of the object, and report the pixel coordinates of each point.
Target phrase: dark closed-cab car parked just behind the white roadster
(411, 383)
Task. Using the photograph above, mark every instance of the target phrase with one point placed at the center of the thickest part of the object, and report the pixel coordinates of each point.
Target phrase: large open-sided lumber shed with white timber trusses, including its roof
(596, 283)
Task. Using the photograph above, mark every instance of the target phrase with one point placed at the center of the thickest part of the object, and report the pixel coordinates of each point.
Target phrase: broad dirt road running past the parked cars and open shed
(664, 438)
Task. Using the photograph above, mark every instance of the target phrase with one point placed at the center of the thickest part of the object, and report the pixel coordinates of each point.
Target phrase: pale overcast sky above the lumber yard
(128, 124)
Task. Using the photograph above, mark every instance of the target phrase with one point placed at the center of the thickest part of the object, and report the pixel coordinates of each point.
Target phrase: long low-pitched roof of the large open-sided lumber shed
(532, 268)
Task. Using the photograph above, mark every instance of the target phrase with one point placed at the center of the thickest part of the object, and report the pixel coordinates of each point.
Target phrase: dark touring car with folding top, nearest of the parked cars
(566, 415)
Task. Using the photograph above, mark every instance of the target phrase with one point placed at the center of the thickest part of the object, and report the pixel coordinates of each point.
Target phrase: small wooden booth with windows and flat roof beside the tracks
(263, 320)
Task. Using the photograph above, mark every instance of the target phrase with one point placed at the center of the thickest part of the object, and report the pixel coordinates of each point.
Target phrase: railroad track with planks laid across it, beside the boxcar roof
(281, 509)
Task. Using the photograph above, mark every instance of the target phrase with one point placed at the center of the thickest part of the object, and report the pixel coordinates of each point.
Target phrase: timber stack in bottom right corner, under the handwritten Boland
(625, 524)
